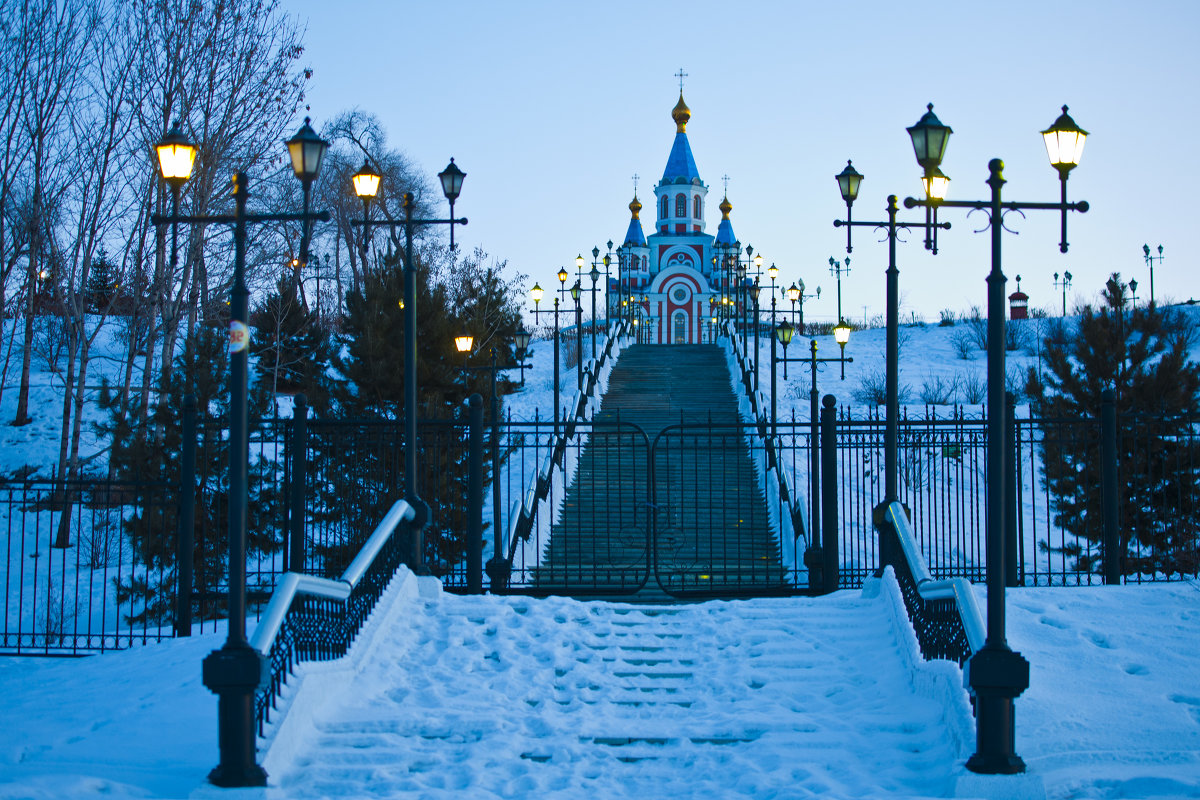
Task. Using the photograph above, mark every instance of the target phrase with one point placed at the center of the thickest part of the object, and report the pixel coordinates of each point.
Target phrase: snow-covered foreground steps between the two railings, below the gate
(515, 697)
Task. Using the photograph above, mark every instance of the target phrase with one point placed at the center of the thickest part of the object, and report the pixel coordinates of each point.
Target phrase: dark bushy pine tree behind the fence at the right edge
(1143, 354)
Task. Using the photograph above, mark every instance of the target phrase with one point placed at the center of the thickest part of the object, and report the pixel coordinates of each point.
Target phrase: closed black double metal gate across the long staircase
(682, 515)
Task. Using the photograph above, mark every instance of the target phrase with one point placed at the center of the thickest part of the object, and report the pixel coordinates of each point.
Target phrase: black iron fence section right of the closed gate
(1059, 539)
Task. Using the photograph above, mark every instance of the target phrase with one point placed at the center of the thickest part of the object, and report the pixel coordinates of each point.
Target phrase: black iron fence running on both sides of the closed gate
(92, 566)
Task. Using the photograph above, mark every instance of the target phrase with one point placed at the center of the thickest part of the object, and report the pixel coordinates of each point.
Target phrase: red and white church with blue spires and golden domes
(676, 280)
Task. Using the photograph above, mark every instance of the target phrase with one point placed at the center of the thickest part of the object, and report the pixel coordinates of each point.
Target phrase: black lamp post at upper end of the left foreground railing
(452, 187)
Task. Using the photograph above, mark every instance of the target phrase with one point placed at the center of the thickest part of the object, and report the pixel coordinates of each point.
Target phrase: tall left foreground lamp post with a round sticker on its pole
(236, 671)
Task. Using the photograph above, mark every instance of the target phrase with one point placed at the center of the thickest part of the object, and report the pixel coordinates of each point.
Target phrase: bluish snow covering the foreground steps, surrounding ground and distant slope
(442, 696)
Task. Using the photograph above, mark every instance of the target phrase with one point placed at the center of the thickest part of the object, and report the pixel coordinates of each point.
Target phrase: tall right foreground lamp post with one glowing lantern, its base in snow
(997, 675)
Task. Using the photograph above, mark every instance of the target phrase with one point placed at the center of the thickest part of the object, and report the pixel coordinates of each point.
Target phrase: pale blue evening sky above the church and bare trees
(553, 107)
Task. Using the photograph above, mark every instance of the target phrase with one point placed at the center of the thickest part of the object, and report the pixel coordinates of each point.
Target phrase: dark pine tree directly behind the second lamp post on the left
(454, 302)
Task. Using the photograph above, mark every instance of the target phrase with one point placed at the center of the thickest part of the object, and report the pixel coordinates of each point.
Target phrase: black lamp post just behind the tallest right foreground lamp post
(849, 183)
